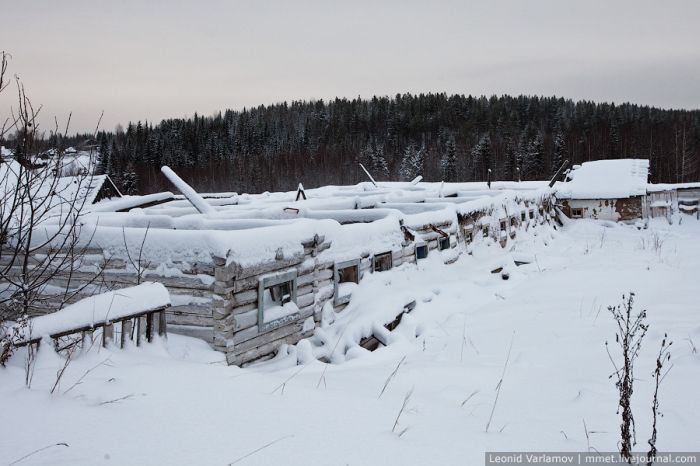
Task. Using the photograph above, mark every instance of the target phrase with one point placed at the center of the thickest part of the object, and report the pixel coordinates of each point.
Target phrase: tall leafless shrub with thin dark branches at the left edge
(40, 223)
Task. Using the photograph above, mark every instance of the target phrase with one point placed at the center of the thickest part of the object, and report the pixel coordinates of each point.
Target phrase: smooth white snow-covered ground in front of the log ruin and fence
(178, 403)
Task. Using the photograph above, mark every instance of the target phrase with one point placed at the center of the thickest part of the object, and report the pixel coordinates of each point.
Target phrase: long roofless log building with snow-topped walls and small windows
(257, 271)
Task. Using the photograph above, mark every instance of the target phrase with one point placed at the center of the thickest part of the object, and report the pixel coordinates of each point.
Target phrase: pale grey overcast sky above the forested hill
(157, 59)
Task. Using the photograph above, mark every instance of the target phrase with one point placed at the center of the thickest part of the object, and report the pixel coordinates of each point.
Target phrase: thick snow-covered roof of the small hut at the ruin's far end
(606, 179)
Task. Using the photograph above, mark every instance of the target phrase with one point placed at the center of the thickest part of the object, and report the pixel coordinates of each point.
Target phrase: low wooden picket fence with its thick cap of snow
(133, 314)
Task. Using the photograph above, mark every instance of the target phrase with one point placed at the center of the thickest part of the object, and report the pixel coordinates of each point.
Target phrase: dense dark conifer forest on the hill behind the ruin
(439, 136)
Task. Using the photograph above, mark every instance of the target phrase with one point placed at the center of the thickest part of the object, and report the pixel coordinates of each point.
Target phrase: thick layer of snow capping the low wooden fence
(100, 308)
